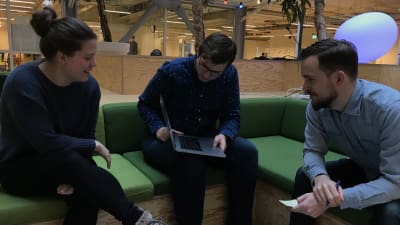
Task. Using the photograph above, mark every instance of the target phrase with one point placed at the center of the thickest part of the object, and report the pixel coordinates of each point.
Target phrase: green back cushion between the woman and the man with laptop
(124, 128)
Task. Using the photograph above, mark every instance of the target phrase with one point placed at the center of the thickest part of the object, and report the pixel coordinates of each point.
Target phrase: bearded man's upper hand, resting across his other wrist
(327, 192)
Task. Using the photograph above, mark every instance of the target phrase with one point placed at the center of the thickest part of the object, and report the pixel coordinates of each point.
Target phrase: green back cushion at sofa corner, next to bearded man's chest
(294, 119)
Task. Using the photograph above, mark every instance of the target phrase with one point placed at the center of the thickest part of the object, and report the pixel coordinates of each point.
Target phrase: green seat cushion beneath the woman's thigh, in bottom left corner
(16, 210)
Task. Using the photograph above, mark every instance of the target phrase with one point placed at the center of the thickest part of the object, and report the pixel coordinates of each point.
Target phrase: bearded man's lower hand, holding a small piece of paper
(308, 205)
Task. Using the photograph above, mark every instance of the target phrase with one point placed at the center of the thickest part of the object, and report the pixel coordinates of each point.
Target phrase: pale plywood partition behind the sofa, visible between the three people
(129, 75)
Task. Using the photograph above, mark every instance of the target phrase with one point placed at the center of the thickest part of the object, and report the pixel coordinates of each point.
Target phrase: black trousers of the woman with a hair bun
(94, 187)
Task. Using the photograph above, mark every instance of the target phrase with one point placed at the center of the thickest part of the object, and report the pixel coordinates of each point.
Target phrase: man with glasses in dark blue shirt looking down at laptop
(200, 92)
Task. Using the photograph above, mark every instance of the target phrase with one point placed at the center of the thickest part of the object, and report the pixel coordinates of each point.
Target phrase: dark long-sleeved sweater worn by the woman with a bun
(38, 117)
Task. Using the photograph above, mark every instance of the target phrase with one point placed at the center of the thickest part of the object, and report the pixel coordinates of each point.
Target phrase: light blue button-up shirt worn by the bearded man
(368, 132)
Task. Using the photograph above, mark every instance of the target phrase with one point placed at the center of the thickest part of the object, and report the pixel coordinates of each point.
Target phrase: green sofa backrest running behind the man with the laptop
(124, 129)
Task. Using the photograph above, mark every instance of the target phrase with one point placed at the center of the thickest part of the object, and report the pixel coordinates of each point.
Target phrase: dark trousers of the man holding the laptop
(188, 174)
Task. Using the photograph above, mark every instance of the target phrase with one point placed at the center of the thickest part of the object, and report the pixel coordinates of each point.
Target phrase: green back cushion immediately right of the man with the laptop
(260, 117)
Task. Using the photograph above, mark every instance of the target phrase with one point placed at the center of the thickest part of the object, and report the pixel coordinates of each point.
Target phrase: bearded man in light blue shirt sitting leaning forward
(363, 119)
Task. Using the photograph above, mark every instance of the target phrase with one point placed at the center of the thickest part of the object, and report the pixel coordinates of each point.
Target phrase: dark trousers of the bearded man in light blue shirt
(349, 175)
